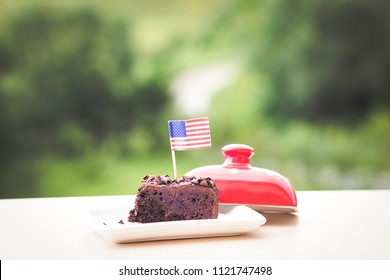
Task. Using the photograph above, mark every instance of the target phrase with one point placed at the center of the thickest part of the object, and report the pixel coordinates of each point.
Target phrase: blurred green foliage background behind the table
(87, 88)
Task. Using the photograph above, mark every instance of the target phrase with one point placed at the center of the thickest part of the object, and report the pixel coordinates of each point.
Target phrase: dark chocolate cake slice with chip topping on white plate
(161, 199)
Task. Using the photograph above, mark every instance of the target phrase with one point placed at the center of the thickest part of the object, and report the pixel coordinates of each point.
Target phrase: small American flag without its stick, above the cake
(189, 134)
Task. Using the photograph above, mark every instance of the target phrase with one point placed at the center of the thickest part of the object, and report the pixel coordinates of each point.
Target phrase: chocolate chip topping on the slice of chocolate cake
(151, 180)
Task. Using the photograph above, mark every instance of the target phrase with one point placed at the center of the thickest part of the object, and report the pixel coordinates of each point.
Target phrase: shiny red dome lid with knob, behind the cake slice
(240, 183)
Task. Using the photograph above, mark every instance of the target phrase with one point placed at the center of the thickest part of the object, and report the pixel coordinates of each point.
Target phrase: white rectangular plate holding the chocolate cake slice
(232, 220)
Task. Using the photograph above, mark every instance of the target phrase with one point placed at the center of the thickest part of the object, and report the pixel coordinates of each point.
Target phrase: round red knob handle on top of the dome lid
(237, 155)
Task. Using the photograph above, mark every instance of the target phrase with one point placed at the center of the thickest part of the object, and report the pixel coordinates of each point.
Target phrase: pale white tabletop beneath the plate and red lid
(328, 225)
